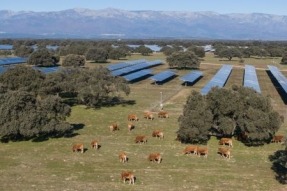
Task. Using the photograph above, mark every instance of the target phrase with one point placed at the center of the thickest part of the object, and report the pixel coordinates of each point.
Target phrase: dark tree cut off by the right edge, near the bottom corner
(279, 165)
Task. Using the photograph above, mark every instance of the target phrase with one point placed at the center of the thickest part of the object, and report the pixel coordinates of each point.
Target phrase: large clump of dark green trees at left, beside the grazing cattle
(35, 105)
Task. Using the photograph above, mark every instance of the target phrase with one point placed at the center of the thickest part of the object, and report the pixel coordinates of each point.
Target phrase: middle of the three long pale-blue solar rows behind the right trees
(250, 78)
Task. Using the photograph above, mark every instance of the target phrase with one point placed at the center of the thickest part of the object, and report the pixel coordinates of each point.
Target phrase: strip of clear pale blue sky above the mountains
(277, 7)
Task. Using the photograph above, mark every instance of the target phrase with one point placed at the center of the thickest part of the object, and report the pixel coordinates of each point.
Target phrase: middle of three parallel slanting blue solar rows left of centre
(136, 67)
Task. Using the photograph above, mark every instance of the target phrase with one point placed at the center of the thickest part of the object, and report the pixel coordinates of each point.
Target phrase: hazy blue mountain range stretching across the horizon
(115, 23)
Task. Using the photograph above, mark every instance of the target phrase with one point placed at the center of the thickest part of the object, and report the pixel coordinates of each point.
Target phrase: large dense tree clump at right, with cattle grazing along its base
(240, 112)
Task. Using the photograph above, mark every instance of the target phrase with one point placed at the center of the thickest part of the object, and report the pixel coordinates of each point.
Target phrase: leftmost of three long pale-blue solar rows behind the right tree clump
(218, 80)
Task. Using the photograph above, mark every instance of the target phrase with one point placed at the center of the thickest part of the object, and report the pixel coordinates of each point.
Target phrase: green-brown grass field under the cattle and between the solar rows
(51, 165)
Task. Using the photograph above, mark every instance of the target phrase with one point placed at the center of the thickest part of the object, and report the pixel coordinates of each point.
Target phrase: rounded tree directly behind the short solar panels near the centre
(183, 60)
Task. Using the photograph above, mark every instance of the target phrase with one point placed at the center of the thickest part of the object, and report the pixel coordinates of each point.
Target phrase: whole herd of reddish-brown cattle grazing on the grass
(224, 150)
